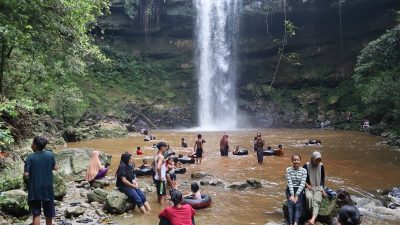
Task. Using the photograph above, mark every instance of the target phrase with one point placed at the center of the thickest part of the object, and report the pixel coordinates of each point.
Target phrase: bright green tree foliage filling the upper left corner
(45, 41)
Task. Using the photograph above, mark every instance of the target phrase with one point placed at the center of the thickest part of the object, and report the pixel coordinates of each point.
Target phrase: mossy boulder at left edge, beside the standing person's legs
(14, 203)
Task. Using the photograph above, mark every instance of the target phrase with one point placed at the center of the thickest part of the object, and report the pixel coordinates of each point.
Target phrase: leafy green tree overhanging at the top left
(53, 33)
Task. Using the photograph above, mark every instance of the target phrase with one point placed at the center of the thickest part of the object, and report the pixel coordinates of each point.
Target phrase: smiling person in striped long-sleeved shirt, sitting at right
(296, 179)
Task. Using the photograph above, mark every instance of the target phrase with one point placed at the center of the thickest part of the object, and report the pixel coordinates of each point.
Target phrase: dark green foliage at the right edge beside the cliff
(377, 77)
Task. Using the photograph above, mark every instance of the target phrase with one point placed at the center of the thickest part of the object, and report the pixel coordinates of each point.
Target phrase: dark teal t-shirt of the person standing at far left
(40, 166)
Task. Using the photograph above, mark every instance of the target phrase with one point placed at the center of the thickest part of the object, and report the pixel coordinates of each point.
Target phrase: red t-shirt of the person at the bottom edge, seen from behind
(178, 216)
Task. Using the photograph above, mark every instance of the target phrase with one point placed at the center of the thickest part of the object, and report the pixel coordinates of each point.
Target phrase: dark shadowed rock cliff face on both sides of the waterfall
(313, 81)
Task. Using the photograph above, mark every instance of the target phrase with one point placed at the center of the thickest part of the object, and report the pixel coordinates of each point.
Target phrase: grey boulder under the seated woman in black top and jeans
(117, 202)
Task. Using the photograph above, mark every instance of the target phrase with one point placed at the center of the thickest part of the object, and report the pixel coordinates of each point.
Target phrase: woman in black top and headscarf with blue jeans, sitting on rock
(127, 184)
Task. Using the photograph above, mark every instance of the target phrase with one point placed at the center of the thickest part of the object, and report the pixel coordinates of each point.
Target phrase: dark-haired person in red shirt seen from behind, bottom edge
(178, 214)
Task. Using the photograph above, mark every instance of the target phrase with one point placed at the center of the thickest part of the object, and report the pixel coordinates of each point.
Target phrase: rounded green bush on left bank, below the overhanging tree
(69, 104)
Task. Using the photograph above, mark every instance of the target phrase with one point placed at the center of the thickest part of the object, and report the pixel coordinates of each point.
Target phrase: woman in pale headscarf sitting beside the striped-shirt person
(314, 185)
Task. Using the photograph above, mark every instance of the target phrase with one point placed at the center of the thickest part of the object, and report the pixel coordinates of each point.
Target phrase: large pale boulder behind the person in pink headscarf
(73, 162)
